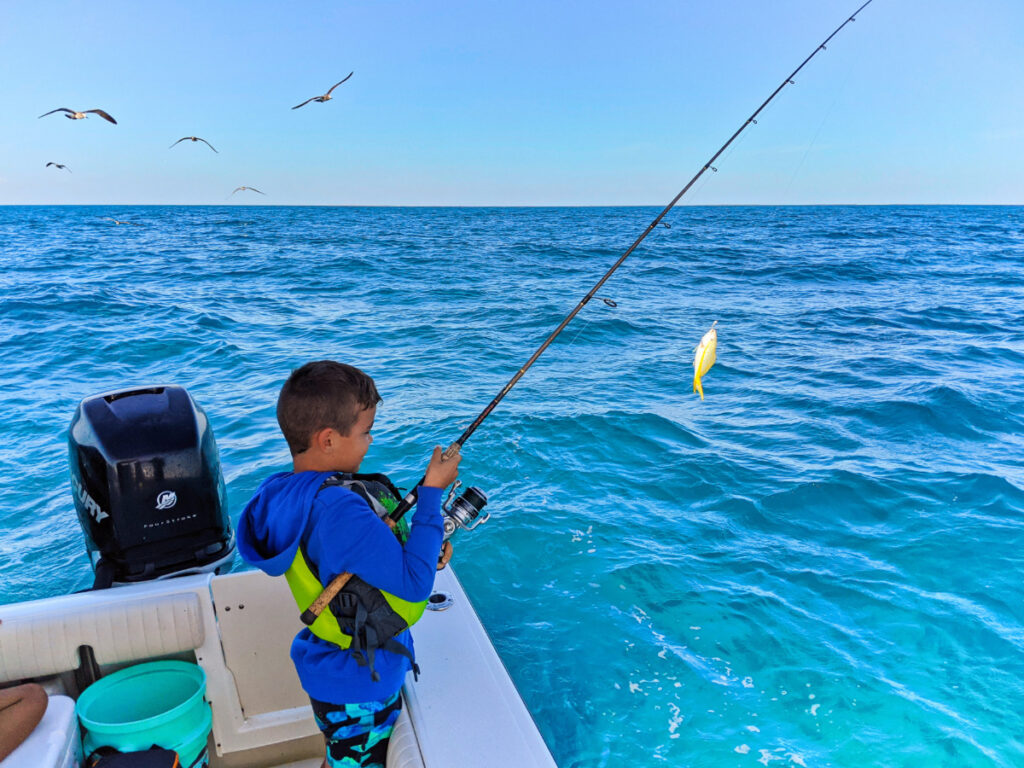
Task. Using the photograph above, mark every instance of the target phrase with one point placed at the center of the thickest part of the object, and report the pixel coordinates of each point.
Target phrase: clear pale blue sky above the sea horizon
(526, 103)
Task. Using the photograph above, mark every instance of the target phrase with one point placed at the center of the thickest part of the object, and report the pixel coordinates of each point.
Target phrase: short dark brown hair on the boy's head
(322, 395)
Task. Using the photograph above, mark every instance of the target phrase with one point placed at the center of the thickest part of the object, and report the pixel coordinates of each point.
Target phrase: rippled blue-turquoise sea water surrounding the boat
(821, 565)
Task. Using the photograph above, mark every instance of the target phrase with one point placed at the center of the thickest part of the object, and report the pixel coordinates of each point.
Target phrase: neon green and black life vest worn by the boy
(361, 619)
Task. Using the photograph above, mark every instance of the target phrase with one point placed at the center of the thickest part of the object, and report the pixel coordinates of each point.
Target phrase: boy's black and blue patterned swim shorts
(358, 735)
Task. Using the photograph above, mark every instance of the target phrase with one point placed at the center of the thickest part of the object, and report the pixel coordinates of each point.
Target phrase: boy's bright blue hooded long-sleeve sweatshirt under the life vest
(345, 535)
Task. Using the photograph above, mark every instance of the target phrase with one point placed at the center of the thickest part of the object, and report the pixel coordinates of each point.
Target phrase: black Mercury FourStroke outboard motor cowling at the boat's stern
(146, 477)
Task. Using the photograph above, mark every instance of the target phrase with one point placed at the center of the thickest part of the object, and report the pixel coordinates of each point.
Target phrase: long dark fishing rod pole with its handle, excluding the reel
(406, 504)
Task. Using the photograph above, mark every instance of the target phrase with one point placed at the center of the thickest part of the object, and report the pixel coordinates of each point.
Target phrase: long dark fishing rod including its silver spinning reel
(465, 509)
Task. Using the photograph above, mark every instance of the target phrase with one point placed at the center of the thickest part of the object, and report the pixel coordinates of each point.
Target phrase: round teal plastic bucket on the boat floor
(158, 703)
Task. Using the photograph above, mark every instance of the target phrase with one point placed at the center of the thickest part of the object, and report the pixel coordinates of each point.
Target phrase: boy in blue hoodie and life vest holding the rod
(313, 525)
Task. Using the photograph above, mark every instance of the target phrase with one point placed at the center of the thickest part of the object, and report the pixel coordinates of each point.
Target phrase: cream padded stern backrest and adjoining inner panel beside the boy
(155, 620)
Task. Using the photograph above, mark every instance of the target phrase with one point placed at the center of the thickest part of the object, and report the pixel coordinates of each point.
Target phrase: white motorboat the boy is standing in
(463, 711)
